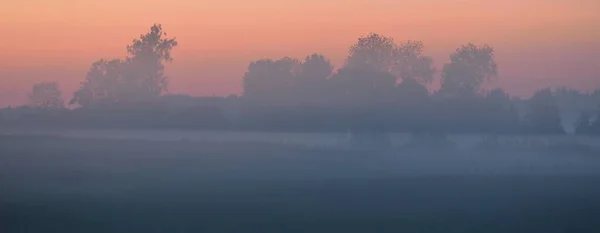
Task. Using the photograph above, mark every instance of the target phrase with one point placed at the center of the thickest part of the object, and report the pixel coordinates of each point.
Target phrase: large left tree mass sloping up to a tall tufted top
(139, 77)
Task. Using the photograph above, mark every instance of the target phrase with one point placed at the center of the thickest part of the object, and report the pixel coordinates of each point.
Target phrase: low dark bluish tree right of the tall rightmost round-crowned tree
(544, 116)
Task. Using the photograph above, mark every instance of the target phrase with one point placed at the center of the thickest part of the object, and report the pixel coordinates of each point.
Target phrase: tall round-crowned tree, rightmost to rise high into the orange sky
(469, 68)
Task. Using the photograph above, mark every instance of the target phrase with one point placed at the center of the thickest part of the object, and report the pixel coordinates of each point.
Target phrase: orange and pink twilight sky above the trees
(538, 43)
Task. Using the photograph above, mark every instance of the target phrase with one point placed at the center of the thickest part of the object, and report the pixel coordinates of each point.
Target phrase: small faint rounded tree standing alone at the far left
(46, 95)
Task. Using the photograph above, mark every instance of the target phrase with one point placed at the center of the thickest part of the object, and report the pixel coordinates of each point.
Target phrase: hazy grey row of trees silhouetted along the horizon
(382, 86)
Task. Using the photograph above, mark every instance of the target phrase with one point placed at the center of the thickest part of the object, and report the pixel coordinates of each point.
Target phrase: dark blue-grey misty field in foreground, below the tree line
(135, 184)
